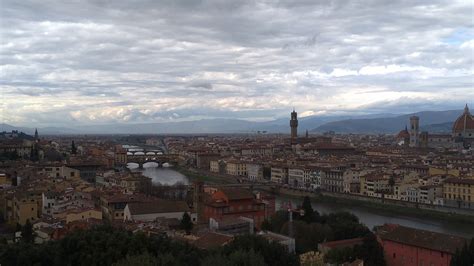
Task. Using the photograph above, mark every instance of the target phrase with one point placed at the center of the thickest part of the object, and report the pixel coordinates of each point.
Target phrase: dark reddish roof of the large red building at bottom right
(420, 238)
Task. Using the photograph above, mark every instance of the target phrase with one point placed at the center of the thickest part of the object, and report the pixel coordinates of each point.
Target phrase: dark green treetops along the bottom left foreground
(105, 245)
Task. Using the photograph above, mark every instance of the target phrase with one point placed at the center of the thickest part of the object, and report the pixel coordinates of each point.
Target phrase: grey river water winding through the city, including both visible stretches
(367, 216)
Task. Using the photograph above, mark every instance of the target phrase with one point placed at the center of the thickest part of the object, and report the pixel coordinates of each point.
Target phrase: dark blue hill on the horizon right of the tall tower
(435, 120)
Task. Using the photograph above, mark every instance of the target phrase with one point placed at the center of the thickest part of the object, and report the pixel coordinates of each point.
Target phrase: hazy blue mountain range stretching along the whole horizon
(432, 121)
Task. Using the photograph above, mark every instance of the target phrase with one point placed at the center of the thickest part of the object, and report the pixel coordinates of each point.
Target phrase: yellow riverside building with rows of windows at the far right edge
(459, 192)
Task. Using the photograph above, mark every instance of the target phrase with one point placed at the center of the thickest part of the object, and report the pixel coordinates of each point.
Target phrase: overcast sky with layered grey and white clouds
(87, 62)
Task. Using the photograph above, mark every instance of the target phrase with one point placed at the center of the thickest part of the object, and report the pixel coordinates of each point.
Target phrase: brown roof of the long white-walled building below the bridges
(160, 206)
